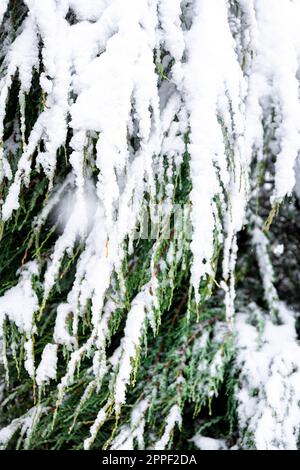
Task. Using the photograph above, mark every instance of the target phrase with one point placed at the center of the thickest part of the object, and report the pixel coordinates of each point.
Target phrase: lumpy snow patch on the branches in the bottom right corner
(268, 400)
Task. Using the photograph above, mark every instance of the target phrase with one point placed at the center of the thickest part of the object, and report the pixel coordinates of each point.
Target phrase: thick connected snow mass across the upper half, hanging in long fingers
(219, 89)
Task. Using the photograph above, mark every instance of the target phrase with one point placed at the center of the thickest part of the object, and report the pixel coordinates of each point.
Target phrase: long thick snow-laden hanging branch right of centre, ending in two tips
(213, 83)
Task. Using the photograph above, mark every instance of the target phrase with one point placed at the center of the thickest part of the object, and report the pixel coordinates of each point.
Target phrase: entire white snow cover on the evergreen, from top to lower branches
(136, 83)
